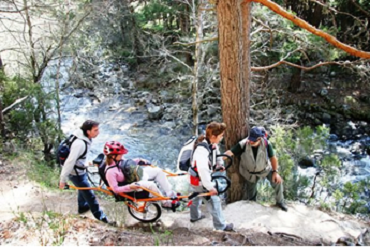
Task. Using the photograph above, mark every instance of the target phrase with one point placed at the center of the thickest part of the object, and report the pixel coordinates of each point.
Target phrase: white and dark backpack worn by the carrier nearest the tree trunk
(186, 153)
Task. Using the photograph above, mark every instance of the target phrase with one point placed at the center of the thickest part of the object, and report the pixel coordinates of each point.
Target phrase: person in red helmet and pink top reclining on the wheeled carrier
(125, 176)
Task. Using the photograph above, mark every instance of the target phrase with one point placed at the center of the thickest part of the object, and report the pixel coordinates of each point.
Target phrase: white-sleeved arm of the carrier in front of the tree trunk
(201, 158)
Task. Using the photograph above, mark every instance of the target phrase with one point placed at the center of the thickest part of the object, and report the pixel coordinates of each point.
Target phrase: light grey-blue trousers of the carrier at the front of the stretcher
(213, 206)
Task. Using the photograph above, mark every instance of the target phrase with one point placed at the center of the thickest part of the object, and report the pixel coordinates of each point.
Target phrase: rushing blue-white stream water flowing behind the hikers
(158, 141)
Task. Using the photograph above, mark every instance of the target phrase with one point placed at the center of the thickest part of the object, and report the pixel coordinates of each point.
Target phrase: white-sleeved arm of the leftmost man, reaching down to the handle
(76, 150)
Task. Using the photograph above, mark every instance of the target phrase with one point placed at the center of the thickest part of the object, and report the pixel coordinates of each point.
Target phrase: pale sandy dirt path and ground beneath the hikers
(33, 215)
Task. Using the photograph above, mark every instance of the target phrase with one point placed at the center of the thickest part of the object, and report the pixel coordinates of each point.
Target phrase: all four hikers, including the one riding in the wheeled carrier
(258, 161)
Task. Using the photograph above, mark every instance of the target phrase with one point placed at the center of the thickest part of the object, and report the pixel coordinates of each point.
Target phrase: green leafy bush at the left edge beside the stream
(34, 113)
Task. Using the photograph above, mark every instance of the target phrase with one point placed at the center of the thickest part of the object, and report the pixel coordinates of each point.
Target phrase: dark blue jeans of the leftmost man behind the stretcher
(86, 197)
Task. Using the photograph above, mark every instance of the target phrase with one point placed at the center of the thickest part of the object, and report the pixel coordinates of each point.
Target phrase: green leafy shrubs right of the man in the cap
(290, 146)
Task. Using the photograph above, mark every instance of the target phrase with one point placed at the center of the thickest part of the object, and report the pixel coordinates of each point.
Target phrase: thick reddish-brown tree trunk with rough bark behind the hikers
(234, 21)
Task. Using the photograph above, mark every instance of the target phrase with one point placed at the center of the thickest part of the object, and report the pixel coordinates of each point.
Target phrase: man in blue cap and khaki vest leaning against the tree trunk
(258, 161)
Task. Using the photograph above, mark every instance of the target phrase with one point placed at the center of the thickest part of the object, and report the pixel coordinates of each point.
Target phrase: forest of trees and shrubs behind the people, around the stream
(230, 61)
